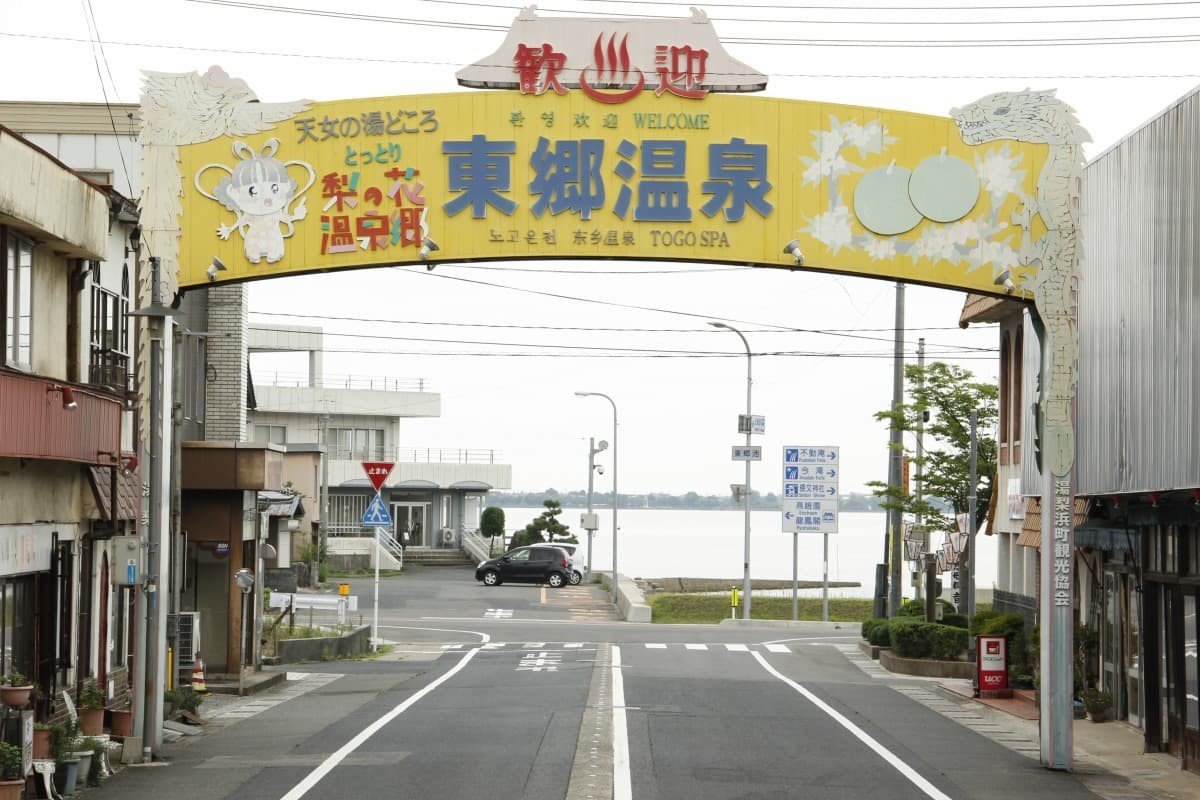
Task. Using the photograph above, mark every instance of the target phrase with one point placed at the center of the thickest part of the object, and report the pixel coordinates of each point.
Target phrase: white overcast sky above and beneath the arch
(501, 342)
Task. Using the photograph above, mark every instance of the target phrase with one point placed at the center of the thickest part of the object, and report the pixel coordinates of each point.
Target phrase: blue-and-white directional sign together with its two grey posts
(811, 507)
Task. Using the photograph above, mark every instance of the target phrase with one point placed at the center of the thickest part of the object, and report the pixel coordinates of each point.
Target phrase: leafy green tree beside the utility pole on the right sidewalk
(947, 395)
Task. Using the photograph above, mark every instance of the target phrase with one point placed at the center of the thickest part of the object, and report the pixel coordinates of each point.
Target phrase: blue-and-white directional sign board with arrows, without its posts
(811, 490)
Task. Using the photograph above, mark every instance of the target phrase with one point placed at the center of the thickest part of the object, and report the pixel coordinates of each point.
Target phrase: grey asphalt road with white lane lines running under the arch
(514, 693)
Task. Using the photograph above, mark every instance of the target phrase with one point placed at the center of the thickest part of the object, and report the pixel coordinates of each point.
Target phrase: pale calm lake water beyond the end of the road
(668, 544)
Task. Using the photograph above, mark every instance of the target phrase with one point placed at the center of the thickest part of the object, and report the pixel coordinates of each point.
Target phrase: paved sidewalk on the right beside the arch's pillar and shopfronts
(1109, 756)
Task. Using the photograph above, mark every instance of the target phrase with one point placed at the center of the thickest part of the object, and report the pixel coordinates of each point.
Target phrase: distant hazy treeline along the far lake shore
(579, 500)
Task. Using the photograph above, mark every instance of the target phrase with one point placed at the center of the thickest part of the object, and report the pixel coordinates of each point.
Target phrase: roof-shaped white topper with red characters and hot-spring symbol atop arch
(613, 53)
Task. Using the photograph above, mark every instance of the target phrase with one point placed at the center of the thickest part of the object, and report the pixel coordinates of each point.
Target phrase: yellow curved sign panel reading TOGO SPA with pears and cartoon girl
(499, 176)
